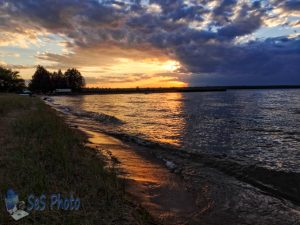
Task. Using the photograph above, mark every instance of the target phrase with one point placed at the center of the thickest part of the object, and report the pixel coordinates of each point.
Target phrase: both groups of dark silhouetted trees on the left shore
(42, 80)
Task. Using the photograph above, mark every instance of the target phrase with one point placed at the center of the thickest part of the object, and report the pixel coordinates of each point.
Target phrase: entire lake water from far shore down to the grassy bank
(229, 186)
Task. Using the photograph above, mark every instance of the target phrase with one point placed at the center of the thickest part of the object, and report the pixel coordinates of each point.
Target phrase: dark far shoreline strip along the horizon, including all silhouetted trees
(71, 82)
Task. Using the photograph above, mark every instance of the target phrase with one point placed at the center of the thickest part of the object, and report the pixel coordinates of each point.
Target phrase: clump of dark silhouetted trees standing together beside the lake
(44, 81)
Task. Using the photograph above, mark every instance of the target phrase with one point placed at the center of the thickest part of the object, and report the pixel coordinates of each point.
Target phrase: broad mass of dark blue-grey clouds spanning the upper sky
(200, 35)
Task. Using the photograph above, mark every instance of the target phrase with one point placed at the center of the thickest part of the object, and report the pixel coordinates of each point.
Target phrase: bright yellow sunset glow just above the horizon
(129, 73)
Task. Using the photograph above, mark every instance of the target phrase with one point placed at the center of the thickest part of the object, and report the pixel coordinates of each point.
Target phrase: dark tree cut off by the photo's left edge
(10, 80)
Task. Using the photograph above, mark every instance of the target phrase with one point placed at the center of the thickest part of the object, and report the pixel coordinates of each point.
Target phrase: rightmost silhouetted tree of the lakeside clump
(74, 79)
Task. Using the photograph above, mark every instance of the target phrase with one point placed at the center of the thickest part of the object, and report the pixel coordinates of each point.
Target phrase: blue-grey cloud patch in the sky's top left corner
(60, 14)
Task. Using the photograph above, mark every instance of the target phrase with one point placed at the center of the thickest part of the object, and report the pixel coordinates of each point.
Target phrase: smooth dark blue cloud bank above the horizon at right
(274, 61)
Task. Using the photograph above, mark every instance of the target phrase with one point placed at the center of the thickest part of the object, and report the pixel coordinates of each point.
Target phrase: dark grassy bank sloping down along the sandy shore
(40, 154)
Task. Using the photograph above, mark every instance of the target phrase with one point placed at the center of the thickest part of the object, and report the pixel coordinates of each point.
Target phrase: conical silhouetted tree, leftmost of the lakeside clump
(41, 80)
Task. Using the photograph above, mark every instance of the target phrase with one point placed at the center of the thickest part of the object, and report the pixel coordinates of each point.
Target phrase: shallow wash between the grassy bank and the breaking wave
(192, 191)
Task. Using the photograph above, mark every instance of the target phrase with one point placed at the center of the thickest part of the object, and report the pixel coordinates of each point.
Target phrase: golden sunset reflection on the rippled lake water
(156, 117)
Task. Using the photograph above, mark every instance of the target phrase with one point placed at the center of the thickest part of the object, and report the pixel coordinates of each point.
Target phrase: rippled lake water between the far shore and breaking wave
(259, 126)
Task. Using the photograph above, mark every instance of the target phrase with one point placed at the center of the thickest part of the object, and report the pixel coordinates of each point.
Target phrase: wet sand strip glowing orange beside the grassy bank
(161, 192)
